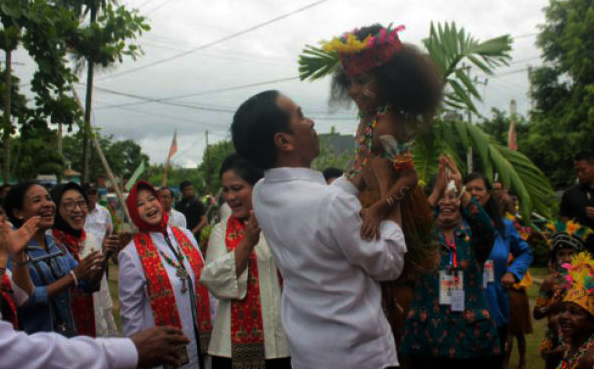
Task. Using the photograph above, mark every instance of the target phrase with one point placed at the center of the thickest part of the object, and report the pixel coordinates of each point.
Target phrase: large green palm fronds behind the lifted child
(454, 51)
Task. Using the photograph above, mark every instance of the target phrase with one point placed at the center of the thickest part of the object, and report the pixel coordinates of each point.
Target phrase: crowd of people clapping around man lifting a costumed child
(358, 267)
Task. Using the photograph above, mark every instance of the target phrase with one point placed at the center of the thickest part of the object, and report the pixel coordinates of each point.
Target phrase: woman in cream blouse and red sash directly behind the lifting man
(241, 273)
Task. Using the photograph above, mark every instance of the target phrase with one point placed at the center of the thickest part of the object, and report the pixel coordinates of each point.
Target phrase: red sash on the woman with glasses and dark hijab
(81, 303)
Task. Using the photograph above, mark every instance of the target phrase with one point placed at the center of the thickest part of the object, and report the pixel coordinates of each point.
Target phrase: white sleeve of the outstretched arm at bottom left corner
(51, 350)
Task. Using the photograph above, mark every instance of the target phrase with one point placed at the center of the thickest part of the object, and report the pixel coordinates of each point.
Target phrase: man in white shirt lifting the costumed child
(331, 301)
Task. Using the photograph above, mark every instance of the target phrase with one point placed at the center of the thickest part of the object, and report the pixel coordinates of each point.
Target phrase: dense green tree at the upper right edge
(562, 91)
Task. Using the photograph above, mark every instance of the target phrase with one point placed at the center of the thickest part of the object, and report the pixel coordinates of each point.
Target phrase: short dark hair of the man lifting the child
(254, 126)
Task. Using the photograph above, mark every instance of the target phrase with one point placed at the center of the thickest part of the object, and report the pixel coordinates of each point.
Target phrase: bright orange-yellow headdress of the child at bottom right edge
(579, 282)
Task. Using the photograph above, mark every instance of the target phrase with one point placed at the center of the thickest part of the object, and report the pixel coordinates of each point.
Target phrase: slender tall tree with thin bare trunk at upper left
(104, 40)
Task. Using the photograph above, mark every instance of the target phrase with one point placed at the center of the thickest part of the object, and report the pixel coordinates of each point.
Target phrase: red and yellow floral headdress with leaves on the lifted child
(356, 56)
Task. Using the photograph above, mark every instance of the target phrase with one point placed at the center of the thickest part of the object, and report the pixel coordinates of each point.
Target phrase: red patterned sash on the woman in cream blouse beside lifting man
(247, 329)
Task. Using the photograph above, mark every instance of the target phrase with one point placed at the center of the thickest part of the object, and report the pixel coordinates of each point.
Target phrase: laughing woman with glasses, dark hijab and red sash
(92, 313)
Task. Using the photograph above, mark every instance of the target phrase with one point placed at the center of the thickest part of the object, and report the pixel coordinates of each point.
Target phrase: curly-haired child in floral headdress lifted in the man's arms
(397, 90)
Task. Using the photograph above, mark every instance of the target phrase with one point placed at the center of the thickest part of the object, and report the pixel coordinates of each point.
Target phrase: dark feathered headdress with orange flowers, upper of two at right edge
(566, 234)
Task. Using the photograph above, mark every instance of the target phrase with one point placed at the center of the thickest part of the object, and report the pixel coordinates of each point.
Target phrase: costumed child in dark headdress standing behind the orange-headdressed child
(566, 239)
